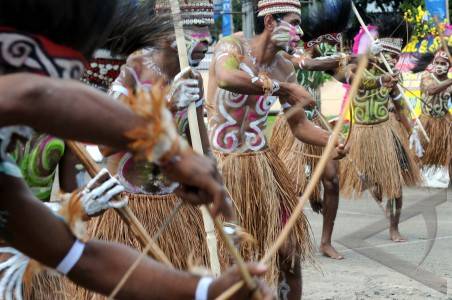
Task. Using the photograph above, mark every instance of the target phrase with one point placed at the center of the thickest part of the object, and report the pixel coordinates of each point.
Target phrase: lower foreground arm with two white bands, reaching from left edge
(31, 228)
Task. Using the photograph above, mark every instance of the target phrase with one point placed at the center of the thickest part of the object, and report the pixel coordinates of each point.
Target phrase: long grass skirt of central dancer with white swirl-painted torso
(263, 194)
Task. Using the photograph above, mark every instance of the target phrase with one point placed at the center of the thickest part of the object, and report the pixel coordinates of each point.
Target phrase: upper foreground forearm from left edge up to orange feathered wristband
(67, 109)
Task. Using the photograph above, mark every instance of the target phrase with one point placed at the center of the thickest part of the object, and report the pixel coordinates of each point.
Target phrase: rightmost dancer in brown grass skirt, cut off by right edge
(436, 92)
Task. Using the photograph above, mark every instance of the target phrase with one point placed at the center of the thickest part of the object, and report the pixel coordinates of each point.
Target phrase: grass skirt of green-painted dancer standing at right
(382, 157)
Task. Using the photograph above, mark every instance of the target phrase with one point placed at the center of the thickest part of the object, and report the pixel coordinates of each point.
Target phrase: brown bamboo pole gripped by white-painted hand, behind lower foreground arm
(125, 213)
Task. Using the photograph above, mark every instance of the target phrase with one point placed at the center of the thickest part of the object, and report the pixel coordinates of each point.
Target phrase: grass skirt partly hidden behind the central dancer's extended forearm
(299, 158)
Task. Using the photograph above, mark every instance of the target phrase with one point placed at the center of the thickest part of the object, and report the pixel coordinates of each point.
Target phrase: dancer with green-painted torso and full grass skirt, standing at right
(377, 151)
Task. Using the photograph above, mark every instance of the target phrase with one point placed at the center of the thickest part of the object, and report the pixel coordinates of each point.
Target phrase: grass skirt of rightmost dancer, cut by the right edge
(438, 152)
